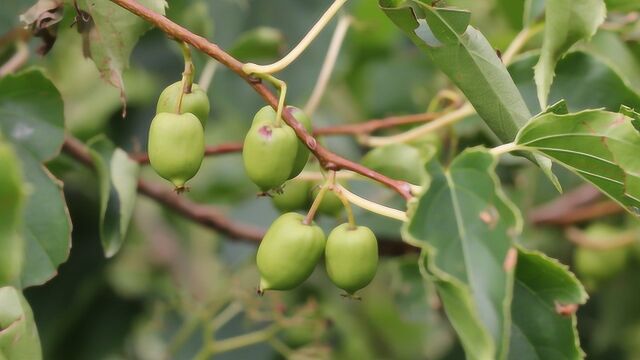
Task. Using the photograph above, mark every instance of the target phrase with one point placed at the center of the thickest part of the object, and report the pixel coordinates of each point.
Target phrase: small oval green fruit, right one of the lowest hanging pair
(351, 257)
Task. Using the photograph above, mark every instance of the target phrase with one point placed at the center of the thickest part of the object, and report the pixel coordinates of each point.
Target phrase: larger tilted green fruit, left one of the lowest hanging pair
(289, 252)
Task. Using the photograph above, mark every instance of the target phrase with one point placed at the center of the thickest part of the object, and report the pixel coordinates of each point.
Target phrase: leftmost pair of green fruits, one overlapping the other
(176, 135)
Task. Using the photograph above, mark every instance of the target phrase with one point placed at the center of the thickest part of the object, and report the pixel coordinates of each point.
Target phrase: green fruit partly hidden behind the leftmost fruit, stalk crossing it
(195, 102)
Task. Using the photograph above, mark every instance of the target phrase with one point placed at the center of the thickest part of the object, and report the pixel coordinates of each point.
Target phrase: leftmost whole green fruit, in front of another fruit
(176, 146)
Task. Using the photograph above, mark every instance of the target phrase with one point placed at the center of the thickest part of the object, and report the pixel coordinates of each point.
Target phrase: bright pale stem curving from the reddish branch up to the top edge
(251, 68)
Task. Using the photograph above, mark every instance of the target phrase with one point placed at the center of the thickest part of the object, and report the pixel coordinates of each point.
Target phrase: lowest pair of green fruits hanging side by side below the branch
(291, 248)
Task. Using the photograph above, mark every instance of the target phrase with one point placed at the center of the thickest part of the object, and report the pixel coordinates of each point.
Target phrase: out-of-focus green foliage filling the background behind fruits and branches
(175, 283)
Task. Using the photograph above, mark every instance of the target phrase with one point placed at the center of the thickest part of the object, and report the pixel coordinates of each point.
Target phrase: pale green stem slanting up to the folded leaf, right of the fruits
(415, 133)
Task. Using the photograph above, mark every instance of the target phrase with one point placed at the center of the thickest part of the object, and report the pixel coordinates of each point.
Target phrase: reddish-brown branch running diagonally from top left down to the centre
(328, 159)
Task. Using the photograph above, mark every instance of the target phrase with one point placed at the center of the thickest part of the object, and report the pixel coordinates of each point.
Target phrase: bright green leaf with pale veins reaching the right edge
(598, 145)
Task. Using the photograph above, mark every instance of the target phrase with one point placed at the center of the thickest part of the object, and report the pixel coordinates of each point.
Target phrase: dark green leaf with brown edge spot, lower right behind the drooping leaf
(541, 288)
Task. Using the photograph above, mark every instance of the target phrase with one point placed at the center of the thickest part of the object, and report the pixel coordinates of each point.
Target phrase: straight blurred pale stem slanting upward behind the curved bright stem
(328, 65)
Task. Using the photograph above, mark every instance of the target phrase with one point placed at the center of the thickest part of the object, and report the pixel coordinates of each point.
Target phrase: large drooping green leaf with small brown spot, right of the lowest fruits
(466, 226)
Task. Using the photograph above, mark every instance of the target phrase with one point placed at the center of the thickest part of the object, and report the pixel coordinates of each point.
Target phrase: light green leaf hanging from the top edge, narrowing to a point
(566, 23)
